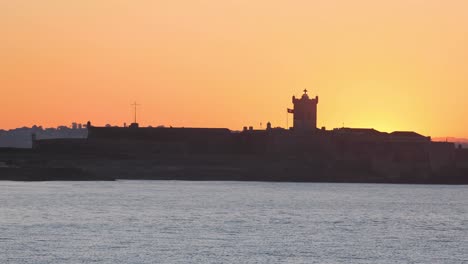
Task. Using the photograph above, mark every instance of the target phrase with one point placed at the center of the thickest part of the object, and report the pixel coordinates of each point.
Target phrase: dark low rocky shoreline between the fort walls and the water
(68, 169)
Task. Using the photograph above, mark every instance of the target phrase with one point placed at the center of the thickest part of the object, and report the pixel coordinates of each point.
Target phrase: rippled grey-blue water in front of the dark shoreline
(231, 222)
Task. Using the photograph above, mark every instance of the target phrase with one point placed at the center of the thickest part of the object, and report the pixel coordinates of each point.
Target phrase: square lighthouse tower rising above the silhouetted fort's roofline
(305, 112)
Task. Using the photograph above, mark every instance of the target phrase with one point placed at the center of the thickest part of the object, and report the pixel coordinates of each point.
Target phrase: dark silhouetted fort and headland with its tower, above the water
(302, 153)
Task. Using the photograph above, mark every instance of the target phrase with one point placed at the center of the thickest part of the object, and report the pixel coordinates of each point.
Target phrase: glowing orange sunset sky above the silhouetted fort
(391, 65)
